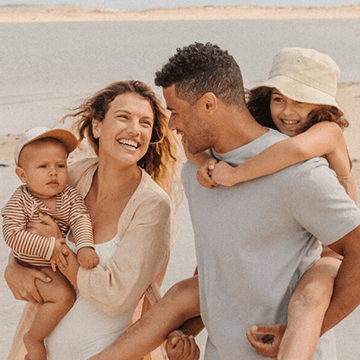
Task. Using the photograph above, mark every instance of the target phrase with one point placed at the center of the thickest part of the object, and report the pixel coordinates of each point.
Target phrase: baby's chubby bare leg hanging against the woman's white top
(58, 296)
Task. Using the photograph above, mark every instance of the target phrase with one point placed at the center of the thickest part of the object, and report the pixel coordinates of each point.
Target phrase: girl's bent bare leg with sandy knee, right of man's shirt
(306, 311)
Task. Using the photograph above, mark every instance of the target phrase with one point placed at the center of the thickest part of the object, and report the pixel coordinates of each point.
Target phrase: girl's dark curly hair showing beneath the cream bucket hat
(258, 103)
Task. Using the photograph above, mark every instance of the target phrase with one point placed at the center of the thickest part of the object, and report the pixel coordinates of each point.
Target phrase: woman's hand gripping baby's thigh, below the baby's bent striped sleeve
(21, 281)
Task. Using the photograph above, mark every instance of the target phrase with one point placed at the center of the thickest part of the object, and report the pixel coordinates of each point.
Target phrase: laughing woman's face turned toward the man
(125, 132)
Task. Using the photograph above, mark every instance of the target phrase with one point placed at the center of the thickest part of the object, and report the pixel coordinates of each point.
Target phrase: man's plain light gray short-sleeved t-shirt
(251, 240)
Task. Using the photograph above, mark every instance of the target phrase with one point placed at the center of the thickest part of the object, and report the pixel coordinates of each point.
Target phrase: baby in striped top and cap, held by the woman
(41, 164)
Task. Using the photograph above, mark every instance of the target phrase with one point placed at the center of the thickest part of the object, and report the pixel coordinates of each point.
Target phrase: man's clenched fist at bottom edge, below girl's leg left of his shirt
(181, 347)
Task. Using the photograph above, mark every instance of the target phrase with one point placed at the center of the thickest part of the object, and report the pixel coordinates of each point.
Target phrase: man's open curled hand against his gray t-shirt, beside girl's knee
(266, 339)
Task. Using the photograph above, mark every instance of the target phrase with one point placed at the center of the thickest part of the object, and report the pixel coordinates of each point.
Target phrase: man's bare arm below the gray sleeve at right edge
(346, 295)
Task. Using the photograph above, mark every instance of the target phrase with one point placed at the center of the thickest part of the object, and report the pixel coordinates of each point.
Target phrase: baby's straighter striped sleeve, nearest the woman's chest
(79, 221)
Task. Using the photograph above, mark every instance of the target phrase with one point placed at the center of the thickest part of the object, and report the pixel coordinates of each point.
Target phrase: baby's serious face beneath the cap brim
(43, 167)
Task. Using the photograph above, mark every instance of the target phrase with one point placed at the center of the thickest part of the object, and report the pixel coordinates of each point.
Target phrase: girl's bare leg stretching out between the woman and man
(178, 305)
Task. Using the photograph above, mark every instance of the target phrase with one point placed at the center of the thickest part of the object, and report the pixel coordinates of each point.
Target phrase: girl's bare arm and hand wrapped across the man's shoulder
(322, 139)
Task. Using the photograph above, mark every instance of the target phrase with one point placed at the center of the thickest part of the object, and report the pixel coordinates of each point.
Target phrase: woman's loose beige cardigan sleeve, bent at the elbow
(143, 252)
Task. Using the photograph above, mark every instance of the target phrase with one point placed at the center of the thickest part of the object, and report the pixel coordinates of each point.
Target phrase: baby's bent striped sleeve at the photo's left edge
(15, 234)
